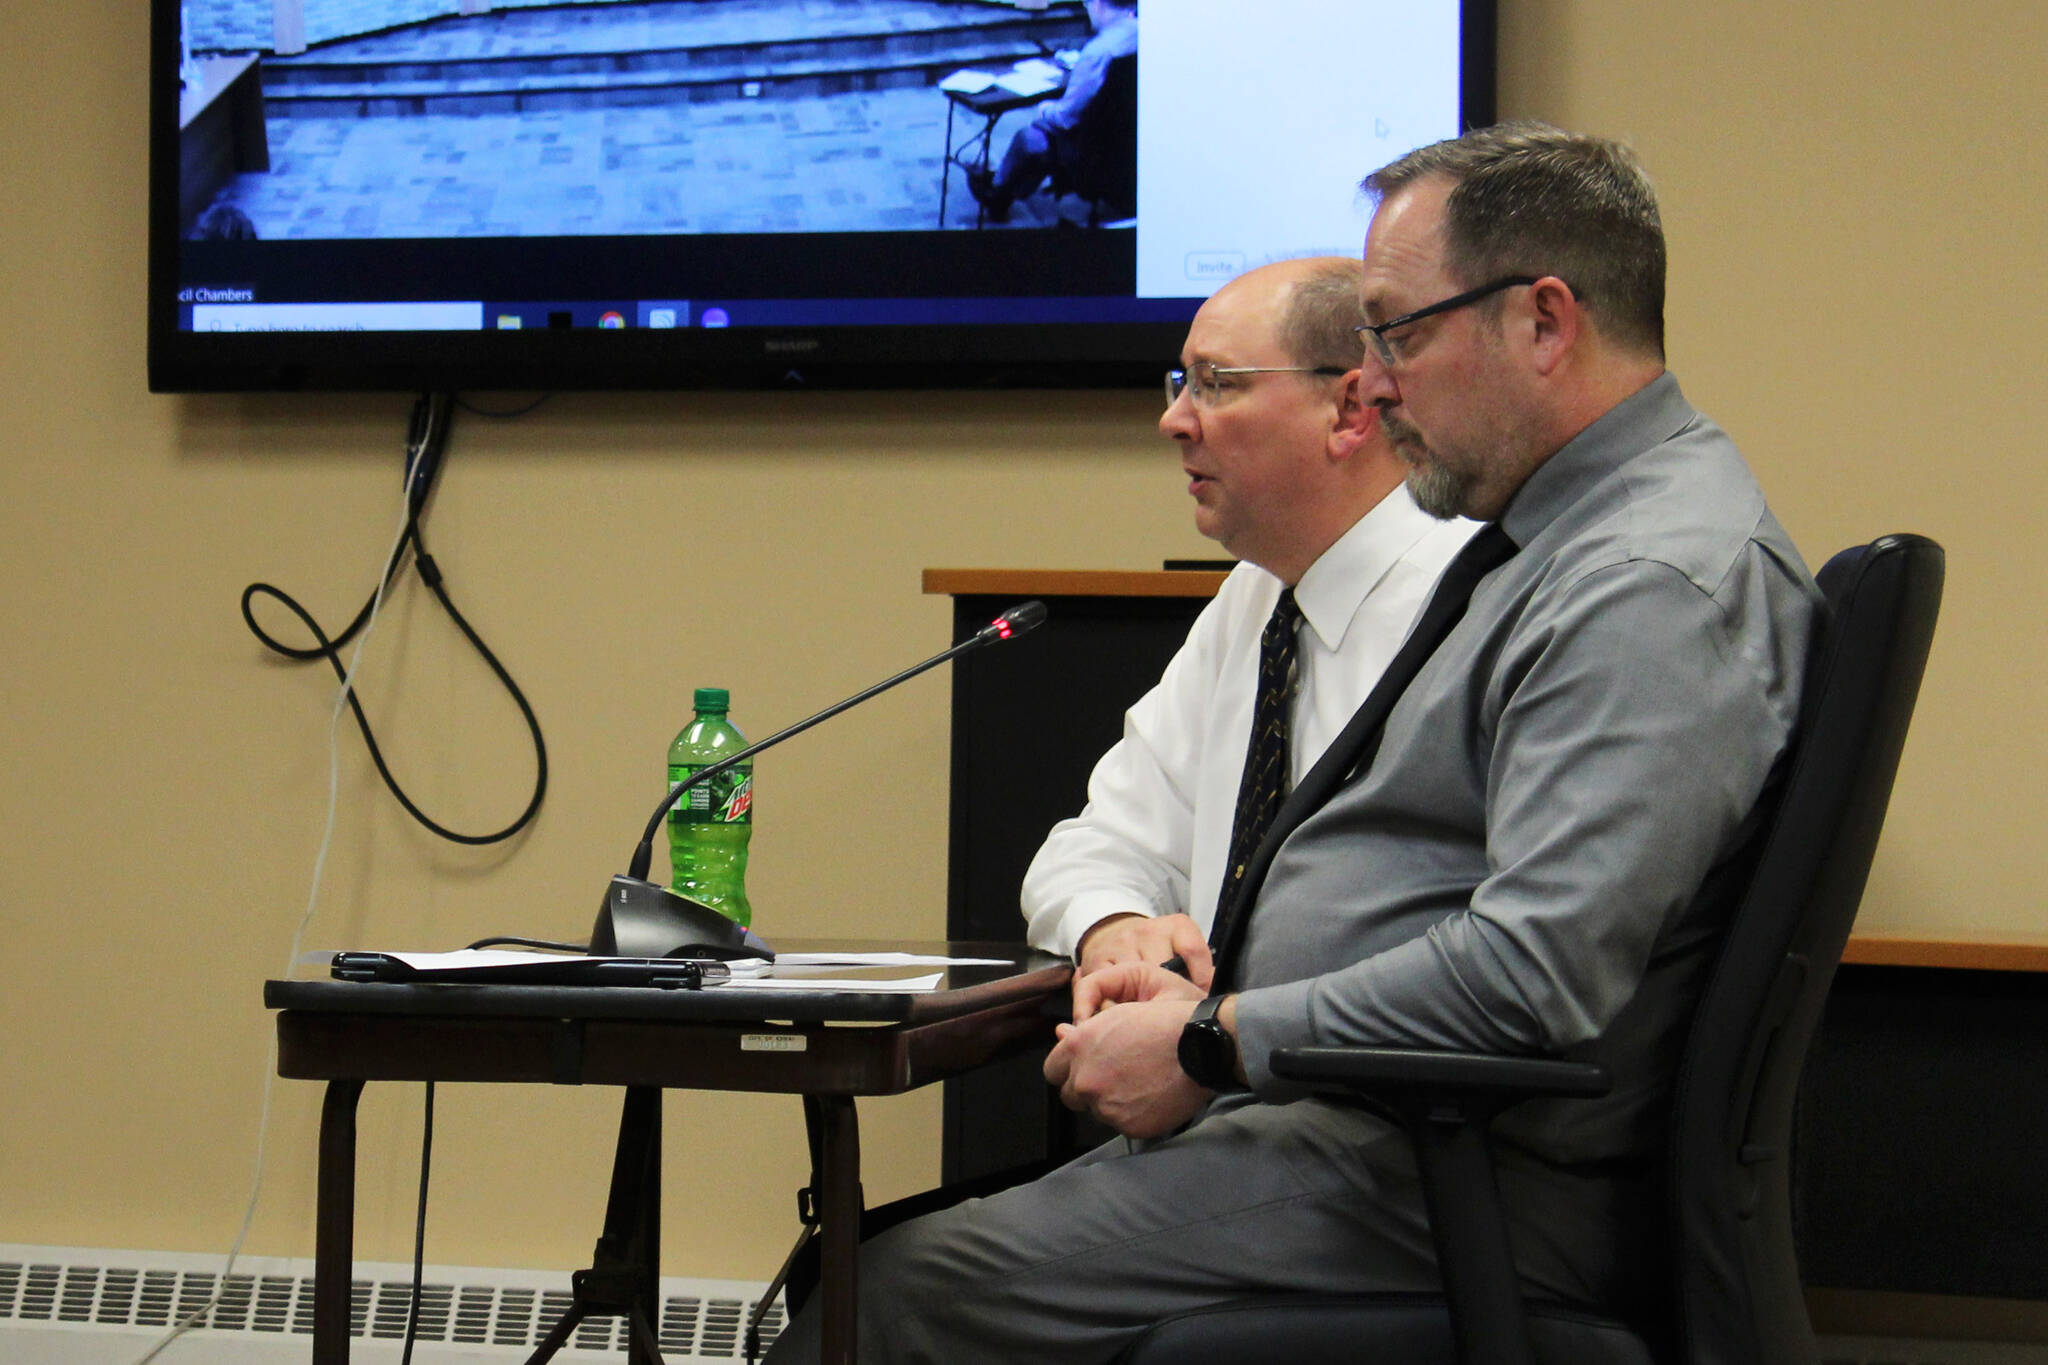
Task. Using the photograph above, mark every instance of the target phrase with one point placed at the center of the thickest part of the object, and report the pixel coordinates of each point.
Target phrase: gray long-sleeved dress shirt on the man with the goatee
(1523, 867)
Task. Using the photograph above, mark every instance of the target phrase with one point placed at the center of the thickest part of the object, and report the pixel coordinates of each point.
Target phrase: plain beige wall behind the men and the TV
(1854, 210)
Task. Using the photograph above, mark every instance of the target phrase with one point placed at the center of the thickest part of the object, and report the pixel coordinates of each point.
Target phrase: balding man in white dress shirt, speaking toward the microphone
(1291, 474)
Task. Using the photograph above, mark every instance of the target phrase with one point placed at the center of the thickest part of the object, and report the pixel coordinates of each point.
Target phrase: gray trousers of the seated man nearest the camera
(1250, 1200)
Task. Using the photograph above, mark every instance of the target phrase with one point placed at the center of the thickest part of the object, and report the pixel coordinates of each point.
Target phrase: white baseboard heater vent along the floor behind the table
(69, 1288)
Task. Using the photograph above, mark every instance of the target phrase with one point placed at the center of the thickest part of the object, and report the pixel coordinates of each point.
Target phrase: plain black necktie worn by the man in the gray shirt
(1359, 742)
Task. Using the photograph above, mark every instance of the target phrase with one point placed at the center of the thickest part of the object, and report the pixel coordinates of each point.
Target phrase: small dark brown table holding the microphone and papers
(826, 1047)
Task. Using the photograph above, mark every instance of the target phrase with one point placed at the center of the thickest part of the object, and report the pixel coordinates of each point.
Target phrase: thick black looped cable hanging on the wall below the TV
(425, 445)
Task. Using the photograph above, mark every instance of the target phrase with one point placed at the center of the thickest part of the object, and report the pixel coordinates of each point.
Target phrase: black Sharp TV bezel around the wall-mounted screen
(589, 359)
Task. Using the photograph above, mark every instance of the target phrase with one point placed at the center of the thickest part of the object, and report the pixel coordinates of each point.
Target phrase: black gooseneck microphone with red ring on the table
(646, 920)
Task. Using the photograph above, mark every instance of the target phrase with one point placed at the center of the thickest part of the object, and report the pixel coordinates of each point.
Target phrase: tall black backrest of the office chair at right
(1738, 1276)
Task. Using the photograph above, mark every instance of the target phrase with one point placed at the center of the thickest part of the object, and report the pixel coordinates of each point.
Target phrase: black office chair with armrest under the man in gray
(1736, 1292)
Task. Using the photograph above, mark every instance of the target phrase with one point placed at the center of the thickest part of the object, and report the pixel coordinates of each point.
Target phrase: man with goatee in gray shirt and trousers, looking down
(1525, 863)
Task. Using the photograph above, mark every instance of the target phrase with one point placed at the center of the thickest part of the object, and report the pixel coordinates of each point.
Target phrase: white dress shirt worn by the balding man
(1160, 803)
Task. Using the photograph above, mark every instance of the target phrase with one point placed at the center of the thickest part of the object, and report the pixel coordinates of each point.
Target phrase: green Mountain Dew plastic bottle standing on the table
(710, 828)
